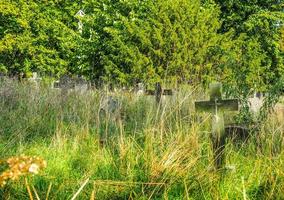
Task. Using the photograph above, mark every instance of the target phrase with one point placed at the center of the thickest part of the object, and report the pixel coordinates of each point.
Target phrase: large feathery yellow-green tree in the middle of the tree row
(130, 41)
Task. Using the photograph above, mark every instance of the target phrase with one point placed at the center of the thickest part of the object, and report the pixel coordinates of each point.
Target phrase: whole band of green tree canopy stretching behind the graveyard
(192, 41)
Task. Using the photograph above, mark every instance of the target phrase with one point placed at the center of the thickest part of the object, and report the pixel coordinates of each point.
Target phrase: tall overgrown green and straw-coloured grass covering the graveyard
(130, 147)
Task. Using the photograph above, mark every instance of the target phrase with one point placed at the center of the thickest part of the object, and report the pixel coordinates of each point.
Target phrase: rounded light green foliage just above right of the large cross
(239, 62)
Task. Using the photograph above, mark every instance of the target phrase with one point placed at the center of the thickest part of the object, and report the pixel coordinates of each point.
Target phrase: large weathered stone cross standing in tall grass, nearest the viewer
(217, 106)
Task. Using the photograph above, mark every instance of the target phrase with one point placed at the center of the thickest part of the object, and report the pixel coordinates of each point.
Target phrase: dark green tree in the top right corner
(259, 20)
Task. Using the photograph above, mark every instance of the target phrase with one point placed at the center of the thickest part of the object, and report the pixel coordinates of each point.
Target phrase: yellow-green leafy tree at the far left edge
(35, 37)
